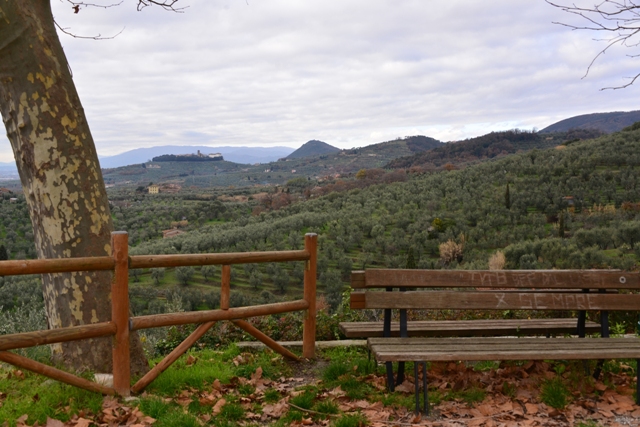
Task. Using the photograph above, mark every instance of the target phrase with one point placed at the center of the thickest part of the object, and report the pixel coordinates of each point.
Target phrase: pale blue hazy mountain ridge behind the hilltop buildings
(242, 155)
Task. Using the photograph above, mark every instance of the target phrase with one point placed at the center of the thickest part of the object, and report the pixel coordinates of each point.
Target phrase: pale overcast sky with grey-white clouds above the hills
(347, 72)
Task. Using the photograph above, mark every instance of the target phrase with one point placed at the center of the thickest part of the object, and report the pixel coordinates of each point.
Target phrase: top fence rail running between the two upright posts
(151, 261)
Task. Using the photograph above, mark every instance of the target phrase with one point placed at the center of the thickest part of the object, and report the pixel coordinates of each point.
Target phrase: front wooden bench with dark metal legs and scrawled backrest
(555, 290)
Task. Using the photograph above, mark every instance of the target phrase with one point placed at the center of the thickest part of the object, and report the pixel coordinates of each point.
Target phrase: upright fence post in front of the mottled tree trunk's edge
(120, 313)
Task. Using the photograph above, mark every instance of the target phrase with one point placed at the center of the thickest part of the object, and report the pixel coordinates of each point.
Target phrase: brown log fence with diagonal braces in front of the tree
(121, 323)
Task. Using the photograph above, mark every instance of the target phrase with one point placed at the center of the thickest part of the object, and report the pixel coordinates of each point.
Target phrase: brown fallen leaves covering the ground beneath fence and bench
(511, 397)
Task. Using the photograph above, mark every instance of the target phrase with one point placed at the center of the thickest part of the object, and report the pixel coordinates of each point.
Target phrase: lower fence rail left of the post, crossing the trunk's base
(52, 336)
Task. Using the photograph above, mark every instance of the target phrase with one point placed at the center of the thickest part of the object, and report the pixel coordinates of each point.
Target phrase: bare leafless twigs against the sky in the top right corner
(621, 18)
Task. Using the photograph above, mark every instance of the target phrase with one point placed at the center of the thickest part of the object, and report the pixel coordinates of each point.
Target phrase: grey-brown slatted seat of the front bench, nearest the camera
(457, 349)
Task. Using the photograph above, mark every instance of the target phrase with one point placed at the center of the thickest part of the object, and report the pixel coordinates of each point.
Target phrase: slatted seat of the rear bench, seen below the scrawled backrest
(469, 328)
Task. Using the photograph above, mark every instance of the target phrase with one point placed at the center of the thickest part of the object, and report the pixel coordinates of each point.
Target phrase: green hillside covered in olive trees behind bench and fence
(574, 206)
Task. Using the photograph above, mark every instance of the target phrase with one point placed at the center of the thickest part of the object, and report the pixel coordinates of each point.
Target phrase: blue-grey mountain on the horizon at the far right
(606, 122)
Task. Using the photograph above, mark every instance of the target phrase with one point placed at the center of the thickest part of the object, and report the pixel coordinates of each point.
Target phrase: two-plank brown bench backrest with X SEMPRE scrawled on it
(496, 290)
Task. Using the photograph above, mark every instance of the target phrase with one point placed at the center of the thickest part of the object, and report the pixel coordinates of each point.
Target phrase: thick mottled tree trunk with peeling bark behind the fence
(60, 176)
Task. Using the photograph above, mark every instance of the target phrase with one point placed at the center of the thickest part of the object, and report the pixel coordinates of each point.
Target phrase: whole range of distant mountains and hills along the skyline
(409, 151)
